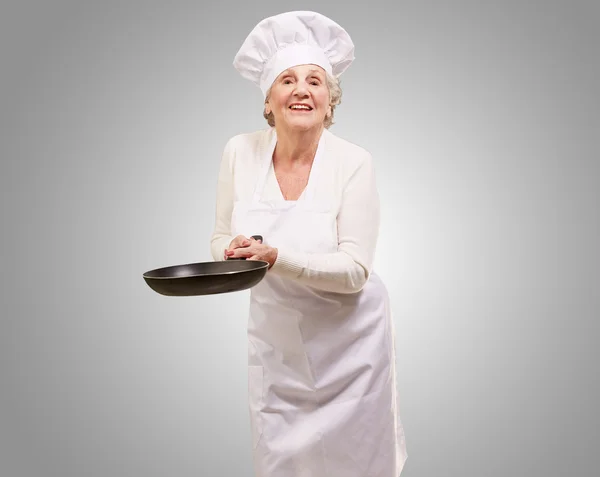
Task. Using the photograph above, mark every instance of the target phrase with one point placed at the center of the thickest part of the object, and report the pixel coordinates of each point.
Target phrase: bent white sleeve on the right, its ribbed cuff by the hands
(348, 269)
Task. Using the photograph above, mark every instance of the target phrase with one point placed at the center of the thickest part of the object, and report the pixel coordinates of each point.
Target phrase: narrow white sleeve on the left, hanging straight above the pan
(221, 237)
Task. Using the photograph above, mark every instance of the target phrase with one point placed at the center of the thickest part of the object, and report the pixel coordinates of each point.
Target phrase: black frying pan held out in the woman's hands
(207, 278)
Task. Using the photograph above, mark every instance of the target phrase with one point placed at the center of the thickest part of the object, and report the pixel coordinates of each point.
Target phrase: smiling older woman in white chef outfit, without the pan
(321, 364)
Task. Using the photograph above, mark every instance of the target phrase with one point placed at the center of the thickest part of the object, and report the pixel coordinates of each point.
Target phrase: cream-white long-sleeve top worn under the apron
(347, 180)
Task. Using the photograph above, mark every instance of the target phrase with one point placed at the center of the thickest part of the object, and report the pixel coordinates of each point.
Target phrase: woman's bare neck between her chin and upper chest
(297, 147)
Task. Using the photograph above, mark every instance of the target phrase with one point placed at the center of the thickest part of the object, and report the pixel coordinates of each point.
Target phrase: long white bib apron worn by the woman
(321, 365)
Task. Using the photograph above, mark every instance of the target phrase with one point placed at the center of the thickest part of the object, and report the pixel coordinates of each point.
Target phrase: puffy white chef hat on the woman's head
(290, 39)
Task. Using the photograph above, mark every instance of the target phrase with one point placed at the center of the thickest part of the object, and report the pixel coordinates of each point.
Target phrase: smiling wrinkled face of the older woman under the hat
(299, 98)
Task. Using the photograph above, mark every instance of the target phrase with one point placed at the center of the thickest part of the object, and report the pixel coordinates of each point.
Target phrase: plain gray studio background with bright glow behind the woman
(483, 118)
